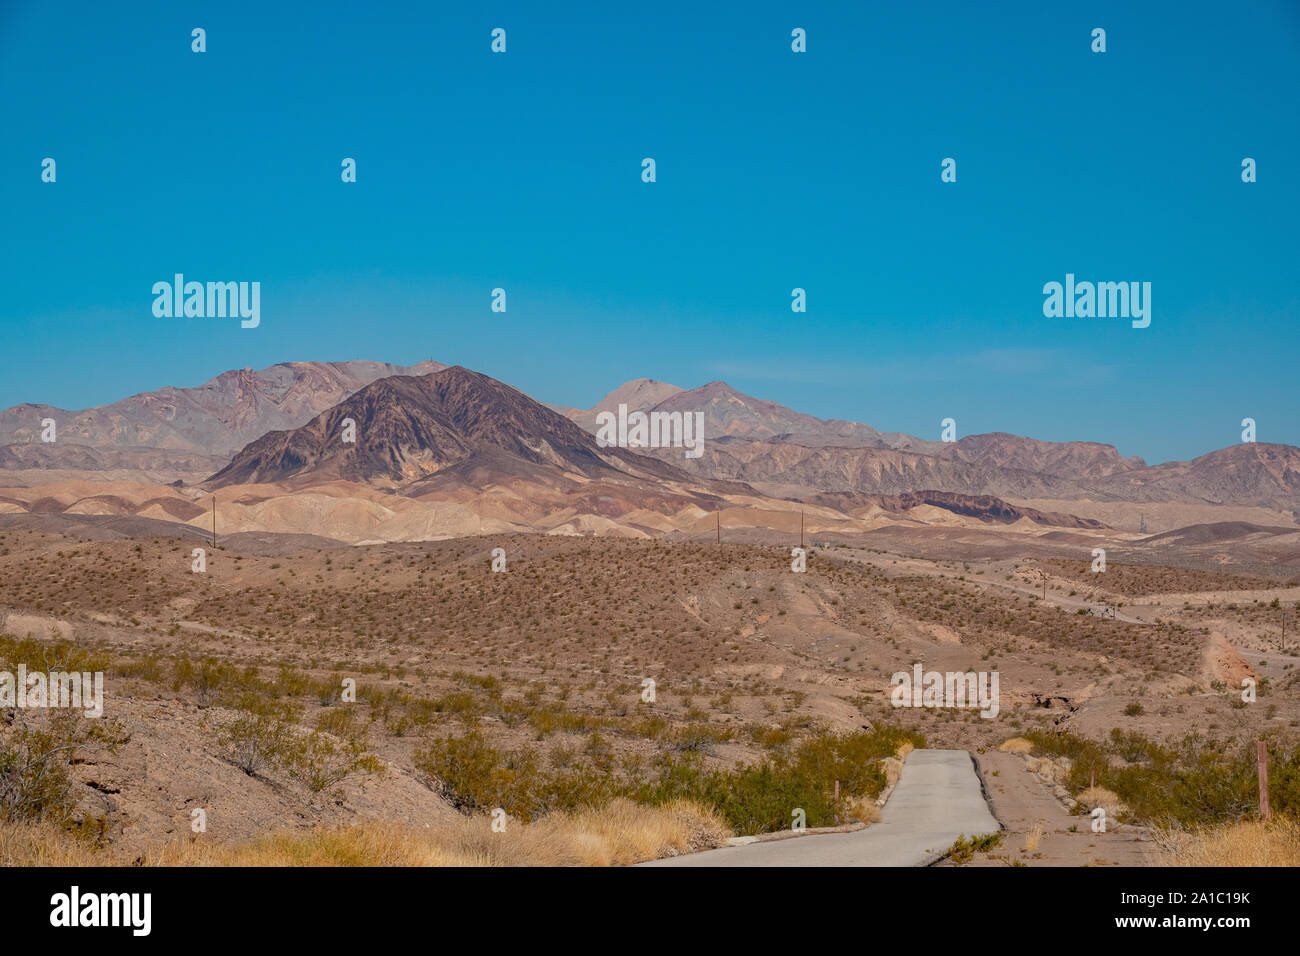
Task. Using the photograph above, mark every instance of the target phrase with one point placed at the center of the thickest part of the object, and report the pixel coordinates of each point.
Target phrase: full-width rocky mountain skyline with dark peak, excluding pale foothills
(211, 431)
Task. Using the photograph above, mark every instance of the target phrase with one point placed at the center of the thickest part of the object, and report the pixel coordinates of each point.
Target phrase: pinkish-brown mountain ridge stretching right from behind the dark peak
(786, 452)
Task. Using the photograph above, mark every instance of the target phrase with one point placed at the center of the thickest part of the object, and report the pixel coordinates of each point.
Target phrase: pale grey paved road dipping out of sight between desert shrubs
(938, 799)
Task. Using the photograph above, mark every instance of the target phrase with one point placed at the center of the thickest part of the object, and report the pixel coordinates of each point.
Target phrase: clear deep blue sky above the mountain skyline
(775, 171)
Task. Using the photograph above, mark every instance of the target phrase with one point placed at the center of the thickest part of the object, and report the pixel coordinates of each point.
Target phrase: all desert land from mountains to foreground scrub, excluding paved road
(474, 620)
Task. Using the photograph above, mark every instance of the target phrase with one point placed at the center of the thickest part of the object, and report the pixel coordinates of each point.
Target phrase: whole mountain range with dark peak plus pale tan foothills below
(432, 432)
